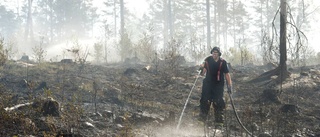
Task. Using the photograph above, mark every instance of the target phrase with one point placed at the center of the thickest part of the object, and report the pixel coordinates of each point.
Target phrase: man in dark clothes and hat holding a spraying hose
(215, 69)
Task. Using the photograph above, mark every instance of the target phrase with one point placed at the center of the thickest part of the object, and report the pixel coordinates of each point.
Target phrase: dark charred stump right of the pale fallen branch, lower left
(50, 108)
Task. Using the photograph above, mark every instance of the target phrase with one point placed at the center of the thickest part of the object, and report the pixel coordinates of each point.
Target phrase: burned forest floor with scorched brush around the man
(140, 100)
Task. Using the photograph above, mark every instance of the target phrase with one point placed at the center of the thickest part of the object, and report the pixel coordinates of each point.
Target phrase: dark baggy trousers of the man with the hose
(212, 94)
